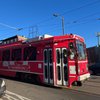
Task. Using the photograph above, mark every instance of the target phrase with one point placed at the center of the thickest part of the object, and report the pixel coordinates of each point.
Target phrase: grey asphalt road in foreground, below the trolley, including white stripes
(26, 91)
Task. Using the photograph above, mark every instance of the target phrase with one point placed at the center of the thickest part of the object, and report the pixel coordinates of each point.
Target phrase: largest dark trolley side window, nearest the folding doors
(30, 53)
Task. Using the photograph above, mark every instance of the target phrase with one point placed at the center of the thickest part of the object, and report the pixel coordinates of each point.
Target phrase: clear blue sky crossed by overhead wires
(81, 17)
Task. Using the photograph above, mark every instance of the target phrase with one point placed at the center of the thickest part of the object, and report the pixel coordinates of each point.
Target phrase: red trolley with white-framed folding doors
(54, 60)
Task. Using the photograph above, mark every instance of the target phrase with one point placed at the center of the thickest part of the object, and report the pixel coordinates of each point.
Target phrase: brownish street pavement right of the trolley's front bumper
(90, 86)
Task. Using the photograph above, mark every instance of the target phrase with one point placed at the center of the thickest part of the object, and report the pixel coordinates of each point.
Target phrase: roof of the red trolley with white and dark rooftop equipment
(38, 40)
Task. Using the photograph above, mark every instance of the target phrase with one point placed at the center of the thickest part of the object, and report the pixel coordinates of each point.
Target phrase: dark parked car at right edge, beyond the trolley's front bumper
(95, 69)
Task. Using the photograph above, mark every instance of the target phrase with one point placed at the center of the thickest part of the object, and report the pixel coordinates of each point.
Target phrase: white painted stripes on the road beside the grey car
(13, 96)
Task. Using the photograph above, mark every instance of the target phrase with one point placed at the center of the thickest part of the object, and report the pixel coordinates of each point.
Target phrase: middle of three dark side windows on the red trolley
(16, 54)
